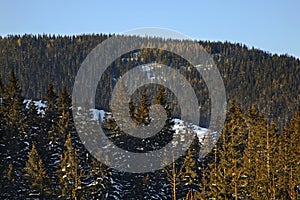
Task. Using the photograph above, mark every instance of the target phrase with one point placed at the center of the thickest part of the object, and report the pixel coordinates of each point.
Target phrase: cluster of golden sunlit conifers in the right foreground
(253, 160)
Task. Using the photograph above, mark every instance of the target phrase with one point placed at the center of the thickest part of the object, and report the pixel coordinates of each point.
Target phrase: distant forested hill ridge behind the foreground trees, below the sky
(250, 75)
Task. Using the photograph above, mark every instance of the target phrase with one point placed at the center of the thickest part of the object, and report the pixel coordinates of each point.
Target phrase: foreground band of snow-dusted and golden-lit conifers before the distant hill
(43, 158)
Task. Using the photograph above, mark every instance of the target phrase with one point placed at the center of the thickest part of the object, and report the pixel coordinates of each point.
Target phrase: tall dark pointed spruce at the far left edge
(16, 138)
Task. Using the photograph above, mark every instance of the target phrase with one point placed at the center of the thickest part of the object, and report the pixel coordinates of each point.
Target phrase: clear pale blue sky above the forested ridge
(271, 25)
